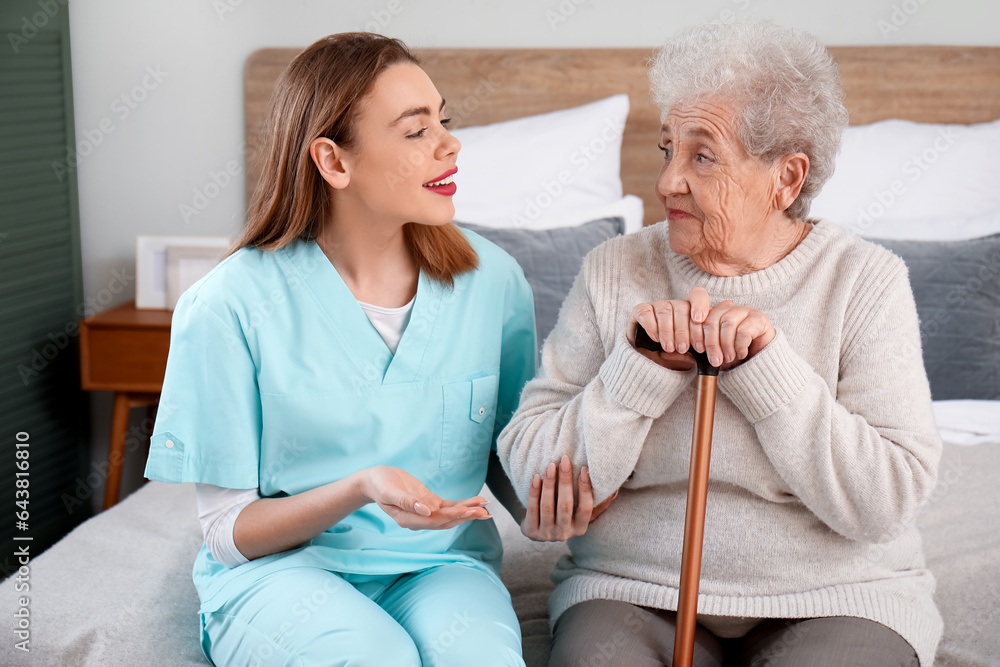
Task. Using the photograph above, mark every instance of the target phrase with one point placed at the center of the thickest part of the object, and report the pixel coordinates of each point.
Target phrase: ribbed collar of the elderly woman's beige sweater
(803, 256)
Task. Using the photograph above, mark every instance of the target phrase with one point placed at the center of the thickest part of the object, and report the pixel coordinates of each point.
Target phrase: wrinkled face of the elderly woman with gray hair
(720, 202)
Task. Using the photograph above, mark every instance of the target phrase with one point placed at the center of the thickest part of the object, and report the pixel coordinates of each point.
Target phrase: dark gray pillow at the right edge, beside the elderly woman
(956, 285)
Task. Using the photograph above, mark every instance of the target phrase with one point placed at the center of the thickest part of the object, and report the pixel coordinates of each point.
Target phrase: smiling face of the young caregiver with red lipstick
(401, 170)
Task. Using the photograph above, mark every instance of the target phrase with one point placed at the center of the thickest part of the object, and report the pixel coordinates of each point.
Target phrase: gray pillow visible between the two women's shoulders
(550, 259)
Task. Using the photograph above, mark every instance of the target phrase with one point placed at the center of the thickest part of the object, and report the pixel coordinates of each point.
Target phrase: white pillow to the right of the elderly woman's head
(898, 171)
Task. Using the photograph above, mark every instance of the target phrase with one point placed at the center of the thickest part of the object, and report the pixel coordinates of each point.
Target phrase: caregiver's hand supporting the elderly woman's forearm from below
(551, 516)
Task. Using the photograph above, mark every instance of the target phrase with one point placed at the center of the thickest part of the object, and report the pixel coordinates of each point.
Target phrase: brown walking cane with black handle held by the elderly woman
(694, 518)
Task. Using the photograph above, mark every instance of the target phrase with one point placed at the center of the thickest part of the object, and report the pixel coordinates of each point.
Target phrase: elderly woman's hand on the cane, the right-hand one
(732, 334)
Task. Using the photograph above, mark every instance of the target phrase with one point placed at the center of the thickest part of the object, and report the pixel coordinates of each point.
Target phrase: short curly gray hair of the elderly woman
(784, 83)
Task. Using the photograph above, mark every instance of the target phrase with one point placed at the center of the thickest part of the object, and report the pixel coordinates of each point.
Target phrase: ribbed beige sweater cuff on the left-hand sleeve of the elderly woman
(640, 384)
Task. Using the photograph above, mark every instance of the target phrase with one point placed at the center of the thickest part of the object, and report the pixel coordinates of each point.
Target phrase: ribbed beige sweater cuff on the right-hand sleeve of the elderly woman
(768, 381)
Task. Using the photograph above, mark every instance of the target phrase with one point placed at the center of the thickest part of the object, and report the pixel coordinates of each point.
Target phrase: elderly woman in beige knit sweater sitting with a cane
(825, 445)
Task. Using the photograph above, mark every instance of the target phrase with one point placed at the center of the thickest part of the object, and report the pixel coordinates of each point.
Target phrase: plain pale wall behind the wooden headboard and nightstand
(158, 90)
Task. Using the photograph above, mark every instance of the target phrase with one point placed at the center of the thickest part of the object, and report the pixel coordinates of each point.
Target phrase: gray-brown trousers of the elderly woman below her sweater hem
(600, 633)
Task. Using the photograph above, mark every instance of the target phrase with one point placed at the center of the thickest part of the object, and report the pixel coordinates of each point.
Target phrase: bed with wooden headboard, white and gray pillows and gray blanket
(118, 591)
